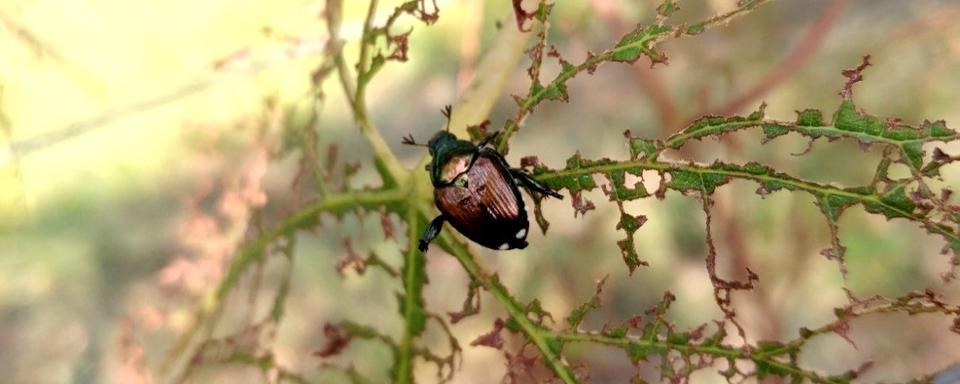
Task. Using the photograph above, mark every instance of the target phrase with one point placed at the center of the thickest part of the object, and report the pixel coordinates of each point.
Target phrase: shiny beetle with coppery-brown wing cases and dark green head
(477, 192)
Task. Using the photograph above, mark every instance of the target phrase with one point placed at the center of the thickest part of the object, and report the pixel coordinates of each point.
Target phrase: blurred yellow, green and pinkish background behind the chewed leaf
(140, 142)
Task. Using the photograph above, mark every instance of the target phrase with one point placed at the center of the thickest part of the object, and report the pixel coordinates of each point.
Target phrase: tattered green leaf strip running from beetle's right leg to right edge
(894, 202)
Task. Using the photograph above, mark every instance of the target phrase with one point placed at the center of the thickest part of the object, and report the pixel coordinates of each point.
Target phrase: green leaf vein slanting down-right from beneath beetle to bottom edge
(536, 334)
